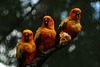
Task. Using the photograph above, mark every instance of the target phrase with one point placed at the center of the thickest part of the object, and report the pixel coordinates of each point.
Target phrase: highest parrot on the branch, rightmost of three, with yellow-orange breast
(70, 25)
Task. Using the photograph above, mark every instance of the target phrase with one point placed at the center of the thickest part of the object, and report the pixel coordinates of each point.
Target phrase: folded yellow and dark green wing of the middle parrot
(37, 38)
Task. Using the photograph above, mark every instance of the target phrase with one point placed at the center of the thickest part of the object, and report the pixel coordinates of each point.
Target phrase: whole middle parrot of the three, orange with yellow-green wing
(45, 35)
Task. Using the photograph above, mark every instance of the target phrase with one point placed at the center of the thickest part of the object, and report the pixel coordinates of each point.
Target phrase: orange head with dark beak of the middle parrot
(48, 22)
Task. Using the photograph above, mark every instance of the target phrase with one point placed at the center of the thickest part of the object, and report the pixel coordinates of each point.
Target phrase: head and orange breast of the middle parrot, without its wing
(48, 34)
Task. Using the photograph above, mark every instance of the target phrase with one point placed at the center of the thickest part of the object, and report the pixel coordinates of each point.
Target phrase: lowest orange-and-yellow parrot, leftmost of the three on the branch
(26, 49)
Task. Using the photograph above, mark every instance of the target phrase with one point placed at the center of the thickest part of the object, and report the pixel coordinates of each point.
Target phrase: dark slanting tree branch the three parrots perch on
(38, 61)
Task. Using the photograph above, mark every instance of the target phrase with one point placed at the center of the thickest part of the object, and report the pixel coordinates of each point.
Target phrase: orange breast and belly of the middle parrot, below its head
(48, 39)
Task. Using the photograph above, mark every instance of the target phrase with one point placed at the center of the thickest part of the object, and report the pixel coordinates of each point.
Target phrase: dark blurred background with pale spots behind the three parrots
(84, 50)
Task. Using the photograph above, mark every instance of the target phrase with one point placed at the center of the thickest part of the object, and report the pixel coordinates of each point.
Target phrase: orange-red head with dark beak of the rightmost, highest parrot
(75, 14)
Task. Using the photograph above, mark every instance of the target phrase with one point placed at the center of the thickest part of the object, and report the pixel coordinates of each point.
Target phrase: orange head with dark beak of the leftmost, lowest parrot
(27, 35)
